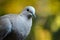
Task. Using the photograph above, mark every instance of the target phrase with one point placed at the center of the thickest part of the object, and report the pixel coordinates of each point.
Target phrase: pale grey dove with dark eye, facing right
(17, 25)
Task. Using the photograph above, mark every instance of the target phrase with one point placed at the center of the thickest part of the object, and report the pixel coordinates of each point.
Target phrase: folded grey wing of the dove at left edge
(5, 27)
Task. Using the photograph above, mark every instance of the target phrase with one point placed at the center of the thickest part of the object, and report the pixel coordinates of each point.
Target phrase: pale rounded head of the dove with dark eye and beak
(29, 11)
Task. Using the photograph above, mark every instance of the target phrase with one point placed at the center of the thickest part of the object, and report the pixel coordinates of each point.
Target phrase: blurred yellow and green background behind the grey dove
(47, 24)
